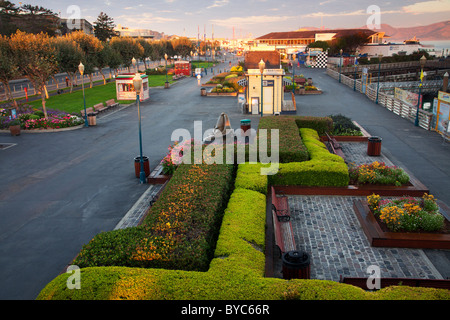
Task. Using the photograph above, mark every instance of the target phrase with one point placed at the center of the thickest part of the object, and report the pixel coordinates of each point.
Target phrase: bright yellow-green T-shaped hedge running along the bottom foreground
(235, 273)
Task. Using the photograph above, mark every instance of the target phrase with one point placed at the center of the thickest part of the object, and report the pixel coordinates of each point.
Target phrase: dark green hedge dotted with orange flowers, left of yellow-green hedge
(179, 231)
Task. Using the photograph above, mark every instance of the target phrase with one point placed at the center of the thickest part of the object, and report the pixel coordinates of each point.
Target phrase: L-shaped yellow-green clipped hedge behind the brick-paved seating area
(324, 168)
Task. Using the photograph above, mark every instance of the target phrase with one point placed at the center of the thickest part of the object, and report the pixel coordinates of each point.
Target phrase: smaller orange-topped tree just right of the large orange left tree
(69, 55)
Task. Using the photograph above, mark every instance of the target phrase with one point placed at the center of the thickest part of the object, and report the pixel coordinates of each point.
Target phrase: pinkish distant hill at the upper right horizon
(435, 31)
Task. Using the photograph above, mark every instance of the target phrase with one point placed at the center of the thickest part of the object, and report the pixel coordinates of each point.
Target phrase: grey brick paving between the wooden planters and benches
(327, 228)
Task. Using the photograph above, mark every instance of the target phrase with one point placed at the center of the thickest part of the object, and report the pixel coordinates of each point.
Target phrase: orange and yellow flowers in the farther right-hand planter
(378, 173)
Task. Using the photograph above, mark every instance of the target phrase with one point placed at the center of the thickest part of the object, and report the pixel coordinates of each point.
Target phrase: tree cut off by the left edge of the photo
(8, 66)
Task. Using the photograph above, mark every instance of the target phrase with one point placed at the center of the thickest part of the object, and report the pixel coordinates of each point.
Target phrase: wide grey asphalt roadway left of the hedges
(58, 190)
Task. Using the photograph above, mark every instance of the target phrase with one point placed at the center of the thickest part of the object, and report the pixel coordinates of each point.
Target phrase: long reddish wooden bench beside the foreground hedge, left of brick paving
(284, 235)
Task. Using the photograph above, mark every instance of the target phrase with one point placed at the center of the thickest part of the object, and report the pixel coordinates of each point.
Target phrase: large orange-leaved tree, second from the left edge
(38, 59)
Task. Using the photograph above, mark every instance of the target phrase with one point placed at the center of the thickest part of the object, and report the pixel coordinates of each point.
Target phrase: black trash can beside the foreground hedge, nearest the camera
(296, 265)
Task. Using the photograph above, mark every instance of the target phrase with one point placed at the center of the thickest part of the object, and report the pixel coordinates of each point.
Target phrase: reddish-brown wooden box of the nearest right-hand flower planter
(379, 238)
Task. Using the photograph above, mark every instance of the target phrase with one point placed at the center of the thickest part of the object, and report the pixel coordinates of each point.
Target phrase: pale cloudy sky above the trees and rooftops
(251, 17)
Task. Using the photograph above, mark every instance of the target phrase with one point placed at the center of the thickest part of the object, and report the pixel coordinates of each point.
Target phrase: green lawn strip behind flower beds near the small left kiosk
(73, 102)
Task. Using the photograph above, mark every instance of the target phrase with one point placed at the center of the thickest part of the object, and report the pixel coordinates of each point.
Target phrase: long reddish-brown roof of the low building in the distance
(310, 34)
